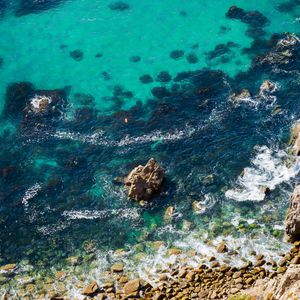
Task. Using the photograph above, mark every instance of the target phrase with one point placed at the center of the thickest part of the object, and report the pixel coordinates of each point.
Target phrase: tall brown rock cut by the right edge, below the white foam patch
(292, 225)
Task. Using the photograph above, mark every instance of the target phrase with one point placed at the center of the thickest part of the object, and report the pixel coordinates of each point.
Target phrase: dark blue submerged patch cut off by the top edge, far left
(25, 7)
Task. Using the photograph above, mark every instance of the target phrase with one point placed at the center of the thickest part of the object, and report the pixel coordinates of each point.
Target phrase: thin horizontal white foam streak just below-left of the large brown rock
(126, 213)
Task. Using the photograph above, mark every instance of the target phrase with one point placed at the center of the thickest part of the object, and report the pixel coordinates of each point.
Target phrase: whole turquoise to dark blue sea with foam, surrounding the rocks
(57, 192)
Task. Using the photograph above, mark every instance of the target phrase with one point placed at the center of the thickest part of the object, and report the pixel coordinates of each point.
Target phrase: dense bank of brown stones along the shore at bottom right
(204, 282)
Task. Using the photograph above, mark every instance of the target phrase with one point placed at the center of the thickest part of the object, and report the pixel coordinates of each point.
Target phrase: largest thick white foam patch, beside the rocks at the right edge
(268, 170)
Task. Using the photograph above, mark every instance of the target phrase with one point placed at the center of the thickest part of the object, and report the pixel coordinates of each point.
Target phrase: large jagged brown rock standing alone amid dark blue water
(144, 181)
